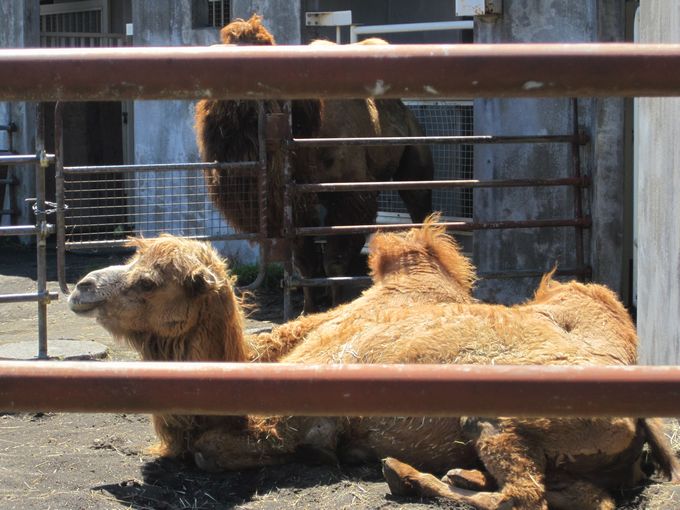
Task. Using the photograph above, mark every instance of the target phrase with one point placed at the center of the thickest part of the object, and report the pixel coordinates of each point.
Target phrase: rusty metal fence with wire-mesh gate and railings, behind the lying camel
(91, 200)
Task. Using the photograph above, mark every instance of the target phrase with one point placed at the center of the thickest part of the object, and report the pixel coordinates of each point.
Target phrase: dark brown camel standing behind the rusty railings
(227, 131)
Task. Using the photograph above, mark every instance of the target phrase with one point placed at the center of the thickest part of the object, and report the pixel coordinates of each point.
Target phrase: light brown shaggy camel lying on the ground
(568, 463)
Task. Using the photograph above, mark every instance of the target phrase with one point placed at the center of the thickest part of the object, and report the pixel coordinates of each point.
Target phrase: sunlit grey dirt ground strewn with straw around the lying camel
(99, 461)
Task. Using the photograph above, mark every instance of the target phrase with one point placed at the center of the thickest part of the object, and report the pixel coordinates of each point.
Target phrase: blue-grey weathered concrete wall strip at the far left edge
(19, 29)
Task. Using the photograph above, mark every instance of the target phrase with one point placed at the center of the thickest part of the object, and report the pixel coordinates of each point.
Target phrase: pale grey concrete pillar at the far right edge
(658, 205)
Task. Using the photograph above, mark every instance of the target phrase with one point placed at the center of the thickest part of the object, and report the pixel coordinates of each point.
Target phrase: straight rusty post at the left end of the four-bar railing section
(288, 223)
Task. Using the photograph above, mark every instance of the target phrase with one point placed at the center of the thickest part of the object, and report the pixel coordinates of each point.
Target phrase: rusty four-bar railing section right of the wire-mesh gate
(580, 221)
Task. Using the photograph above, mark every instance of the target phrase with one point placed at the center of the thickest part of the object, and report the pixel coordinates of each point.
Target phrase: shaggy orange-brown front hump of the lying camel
(421, 251)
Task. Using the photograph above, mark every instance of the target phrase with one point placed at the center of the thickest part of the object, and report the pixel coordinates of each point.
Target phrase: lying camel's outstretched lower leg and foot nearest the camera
(407, 481)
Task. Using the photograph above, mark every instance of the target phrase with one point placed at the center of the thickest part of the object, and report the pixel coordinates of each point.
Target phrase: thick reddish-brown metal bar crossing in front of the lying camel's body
(339, 390)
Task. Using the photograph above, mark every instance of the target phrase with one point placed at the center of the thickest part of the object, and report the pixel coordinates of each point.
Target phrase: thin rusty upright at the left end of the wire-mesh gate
(59, 183)
